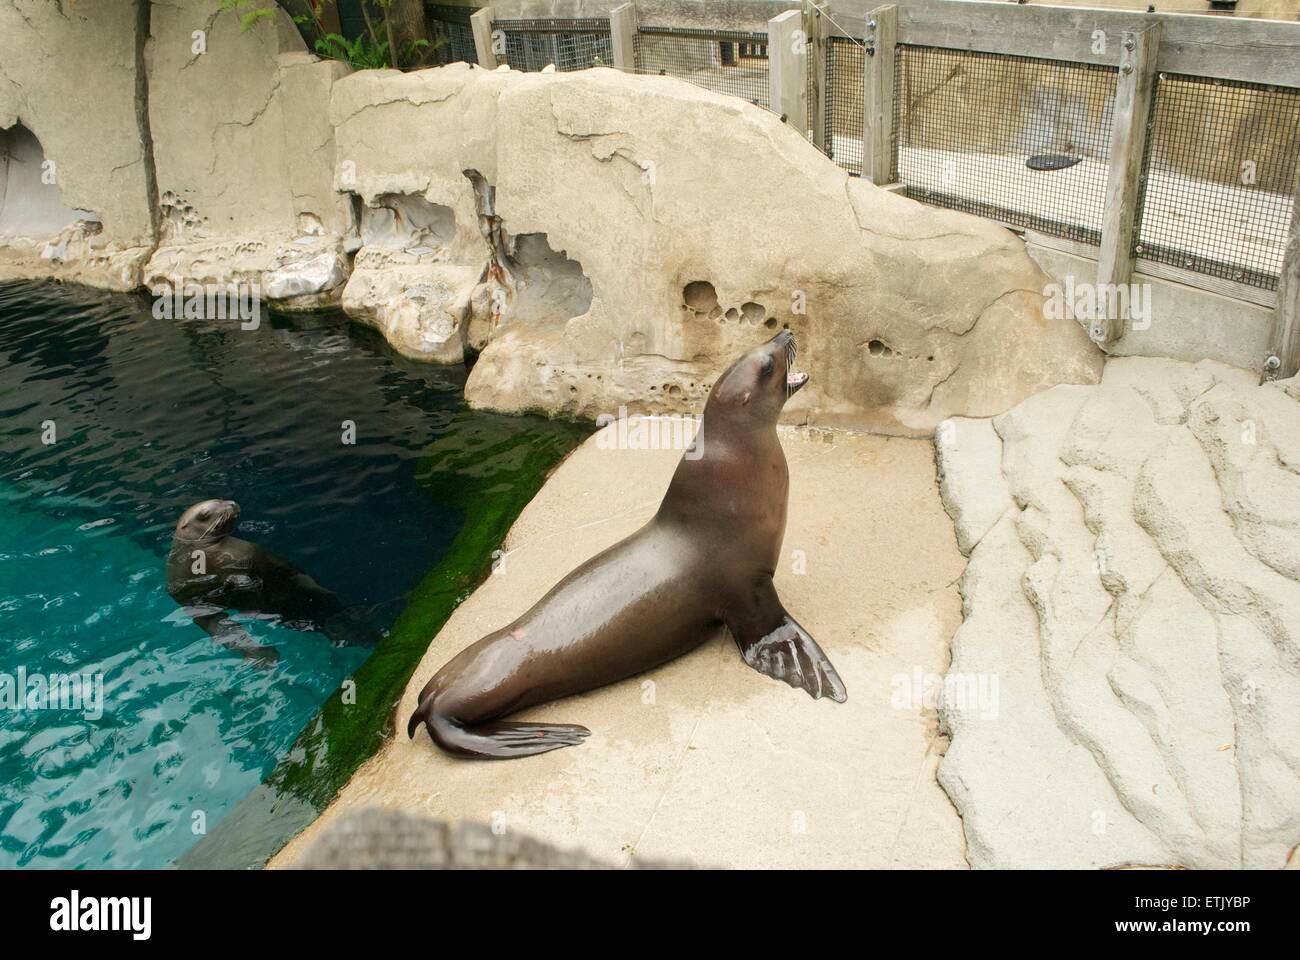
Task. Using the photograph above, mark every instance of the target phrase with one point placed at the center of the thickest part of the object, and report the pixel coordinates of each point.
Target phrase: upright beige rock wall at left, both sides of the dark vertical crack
(148, 144)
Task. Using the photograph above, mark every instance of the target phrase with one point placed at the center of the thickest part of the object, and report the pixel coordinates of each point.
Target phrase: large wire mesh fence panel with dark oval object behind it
(1020, 140)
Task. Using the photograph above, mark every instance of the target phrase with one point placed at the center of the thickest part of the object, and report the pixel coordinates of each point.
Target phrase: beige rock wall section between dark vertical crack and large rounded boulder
(244, 148)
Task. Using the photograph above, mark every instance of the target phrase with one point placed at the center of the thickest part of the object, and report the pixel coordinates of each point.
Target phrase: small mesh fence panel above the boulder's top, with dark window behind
(727, 62)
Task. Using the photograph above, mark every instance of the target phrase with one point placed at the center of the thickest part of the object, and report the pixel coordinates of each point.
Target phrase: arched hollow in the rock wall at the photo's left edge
(29, 207)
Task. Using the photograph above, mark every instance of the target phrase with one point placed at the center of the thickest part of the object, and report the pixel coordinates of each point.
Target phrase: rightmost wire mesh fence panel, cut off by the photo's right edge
(1219, 178)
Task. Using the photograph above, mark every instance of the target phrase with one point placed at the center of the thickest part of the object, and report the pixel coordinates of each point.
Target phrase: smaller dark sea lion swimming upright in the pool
(209, 572)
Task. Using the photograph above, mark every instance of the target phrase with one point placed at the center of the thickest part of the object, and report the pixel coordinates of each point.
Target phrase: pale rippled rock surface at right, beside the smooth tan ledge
(1141, 611)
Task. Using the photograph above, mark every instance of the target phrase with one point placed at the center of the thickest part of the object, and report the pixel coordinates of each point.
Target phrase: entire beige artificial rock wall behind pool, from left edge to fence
(596, 240)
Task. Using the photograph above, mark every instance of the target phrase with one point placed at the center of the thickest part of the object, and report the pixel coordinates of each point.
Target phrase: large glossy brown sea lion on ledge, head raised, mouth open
(705, 559)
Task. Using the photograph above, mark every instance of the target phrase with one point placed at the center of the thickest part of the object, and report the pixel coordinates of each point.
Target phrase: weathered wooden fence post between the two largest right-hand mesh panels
(1134, 93)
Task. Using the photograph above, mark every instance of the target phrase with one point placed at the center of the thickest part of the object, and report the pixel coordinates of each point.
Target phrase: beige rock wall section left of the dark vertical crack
(73, 170)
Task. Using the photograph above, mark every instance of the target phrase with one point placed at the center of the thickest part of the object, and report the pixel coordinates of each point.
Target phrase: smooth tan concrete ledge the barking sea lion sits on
(707, 760)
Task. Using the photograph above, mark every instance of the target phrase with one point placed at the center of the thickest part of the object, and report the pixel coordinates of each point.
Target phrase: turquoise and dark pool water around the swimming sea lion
(150, 417)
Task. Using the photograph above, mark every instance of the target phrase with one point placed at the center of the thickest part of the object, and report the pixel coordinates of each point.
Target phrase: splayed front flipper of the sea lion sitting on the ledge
(774, 643)
